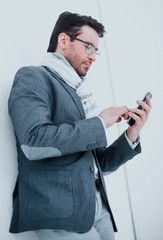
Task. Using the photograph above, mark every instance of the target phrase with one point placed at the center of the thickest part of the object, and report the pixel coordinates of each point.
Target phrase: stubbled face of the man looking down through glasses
(76, 53)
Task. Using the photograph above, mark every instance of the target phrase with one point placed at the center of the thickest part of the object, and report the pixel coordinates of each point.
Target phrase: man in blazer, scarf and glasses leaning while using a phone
(61, 141)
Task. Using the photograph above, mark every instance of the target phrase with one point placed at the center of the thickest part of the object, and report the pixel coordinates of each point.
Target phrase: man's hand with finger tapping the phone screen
(113, 115)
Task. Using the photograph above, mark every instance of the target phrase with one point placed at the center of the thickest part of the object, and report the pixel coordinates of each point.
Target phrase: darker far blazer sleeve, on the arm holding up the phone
(119, 152)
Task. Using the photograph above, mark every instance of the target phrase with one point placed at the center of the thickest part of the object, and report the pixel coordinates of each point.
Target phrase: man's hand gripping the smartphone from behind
(140, 117)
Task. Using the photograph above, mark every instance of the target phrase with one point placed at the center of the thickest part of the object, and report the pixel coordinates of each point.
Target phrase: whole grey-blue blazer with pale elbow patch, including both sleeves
(56, 144)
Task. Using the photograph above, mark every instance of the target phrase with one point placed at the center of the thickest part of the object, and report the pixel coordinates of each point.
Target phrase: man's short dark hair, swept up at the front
(71, 24)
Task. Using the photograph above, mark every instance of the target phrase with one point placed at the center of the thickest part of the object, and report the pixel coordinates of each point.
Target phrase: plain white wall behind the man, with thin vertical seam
(132, 58)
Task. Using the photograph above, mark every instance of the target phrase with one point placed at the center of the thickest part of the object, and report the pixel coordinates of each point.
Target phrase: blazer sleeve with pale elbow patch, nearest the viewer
(30, 109)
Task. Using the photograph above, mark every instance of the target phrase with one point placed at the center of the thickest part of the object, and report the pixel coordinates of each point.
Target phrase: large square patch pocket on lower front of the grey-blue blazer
(50, 194)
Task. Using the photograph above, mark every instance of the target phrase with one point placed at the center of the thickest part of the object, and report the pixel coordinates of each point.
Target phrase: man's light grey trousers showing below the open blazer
(102, 228)
